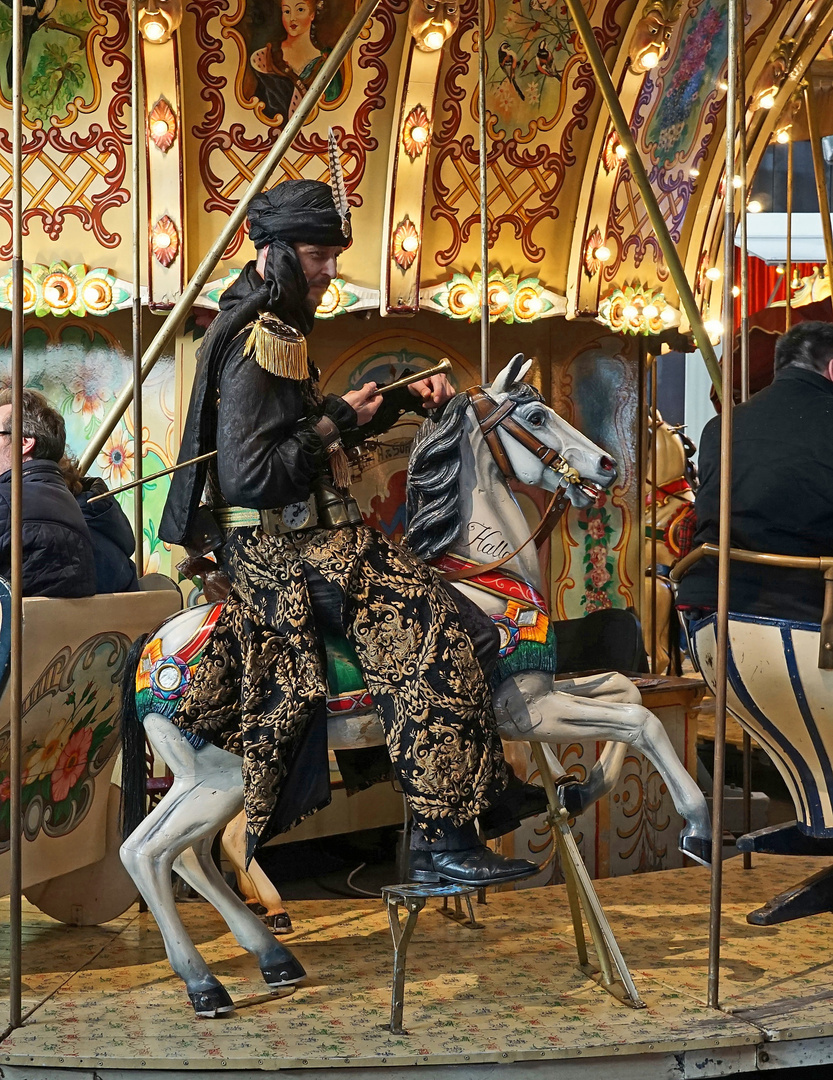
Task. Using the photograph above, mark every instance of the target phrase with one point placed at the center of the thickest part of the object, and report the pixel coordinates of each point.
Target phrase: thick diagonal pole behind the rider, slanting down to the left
(179, 313)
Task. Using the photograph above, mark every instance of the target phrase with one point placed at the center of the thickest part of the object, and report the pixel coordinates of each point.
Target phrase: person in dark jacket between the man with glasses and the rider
(112, 532)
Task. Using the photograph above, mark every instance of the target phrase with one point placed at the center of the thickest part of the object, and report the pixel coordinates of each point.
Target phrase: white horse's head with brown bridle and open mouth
(577, 464)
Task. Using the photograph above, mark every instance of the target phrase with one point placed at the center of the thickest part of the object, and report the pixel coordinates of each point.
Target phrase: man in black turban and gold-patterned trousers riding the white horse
(302, 564)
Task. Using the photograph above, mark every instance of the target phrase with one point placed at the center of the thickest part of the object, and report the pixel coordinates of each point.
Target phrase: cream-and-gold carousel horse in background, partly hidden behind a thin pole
(677, 483)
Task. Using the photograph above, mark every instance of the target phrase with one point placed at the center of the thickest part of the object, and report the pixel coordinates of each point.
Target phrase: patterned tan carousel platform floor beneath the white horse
(103, 1005)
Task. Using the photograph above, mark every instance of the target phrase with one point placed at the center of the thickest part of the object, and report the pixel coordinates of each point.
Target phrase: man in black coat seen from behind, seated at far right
(782, 488)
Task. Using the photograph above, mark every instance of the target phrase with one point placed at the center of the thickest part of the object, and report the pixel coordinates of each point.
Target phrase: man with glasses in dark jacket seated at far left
(58, 551)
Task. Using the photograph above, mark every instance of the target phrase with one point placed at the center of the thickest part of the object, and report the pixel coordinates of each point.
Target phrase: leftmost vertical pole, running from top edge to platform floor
(16, 661)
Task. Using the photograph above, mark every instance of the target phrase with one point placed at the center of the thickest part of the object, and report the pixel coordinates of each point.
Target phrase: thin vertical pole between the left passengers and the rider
(139, 521)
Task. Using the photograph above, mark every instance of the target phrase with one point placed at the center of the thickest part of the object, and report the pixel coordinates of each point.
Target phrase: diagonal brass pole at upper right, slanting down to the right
(668, 248)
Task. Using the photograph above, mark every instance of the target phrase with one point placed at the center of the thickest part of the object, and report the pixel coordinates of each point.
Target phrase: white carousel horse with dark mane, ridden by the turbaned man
(464, 512)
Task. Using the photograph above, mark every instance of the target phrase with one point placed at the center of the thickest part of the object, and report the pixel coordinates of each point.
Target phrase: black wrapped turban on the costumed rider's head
(298, 212)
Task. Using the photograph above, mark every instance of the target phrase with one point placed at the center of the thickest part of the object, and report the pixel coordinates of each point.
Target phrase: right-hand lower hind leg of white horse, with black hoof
(278, 966)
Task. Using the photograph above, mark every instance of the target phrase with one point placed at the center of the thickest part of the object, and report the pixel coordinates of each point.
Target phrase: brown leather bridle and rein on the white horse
(491, 416)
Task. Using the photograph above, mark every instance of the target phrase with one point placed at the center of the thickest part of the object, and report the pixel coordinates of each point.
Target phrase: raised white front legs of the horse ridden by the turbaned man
(530, 710)
